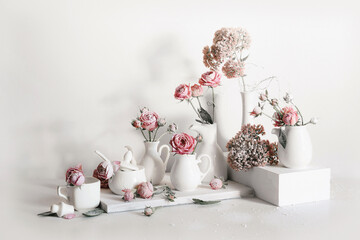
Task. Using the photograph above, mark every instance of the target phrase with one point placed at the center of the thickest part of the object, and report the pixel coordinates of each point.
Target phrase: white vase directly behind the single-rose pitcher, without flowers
(210, 147)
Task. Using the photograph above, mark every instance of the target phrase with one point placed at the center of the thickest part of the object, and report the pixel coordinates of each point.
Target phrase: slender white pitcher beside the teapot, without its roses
(154, 166)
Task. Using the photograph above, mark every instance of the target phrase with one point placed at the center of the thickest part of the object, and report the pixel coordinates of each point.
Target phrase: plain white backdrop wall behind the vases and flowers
(73, 74)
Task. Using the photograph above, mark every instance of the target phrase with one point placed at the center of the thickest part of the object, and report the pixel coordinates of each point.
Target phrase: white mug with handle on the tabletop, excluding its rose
(84, 197)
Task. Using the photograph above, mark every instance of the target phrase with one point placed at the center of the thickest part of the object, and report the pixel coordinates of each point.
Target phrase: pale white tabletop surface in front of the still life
(247, 219)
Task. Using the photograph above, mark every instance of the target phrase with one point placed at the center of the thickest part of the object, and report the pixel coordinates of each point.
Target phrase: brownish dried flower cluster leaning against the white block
(247, 149)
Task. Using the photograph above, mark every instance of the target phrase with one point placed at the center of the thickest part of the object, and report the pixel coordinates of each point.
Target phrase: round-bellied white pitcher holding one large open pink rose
(185, 173)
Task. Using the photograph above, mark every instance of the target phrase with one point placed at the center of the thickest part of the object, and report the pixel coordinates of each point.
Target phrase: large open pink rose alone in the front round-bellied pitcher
(183, 143)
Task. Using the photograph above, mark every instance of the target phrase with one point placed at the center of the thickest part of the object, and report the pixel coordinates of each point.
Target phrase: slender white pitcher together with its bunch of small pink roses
(148, 124)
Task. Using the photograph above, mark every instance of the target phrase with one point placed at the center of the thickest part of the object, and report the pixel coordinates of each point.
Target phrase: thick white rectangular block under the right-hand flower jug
(283, 186)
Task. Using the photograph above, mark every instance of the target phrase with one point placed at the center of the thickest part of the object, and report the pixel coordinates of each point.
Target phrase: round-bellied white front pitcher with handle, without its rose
(185, 174)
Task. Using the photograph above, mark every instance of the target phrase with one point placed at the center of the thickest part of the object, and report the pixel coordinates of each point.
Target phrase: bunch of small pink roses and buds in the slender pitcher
(151, 122)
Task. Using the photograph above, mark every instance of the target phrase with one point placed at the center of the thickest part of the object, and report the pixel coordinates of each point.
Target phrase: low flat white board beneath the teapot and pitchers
(114, 203)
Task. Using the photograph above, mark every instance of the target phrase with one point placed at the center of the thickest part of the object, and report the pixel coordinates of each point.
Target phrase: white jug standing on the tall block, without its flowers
(295, 149)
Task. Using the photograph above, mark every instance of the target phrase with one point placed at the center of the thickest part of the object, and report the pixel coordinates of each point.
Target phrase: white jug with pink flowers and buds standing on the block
(295, 148)
